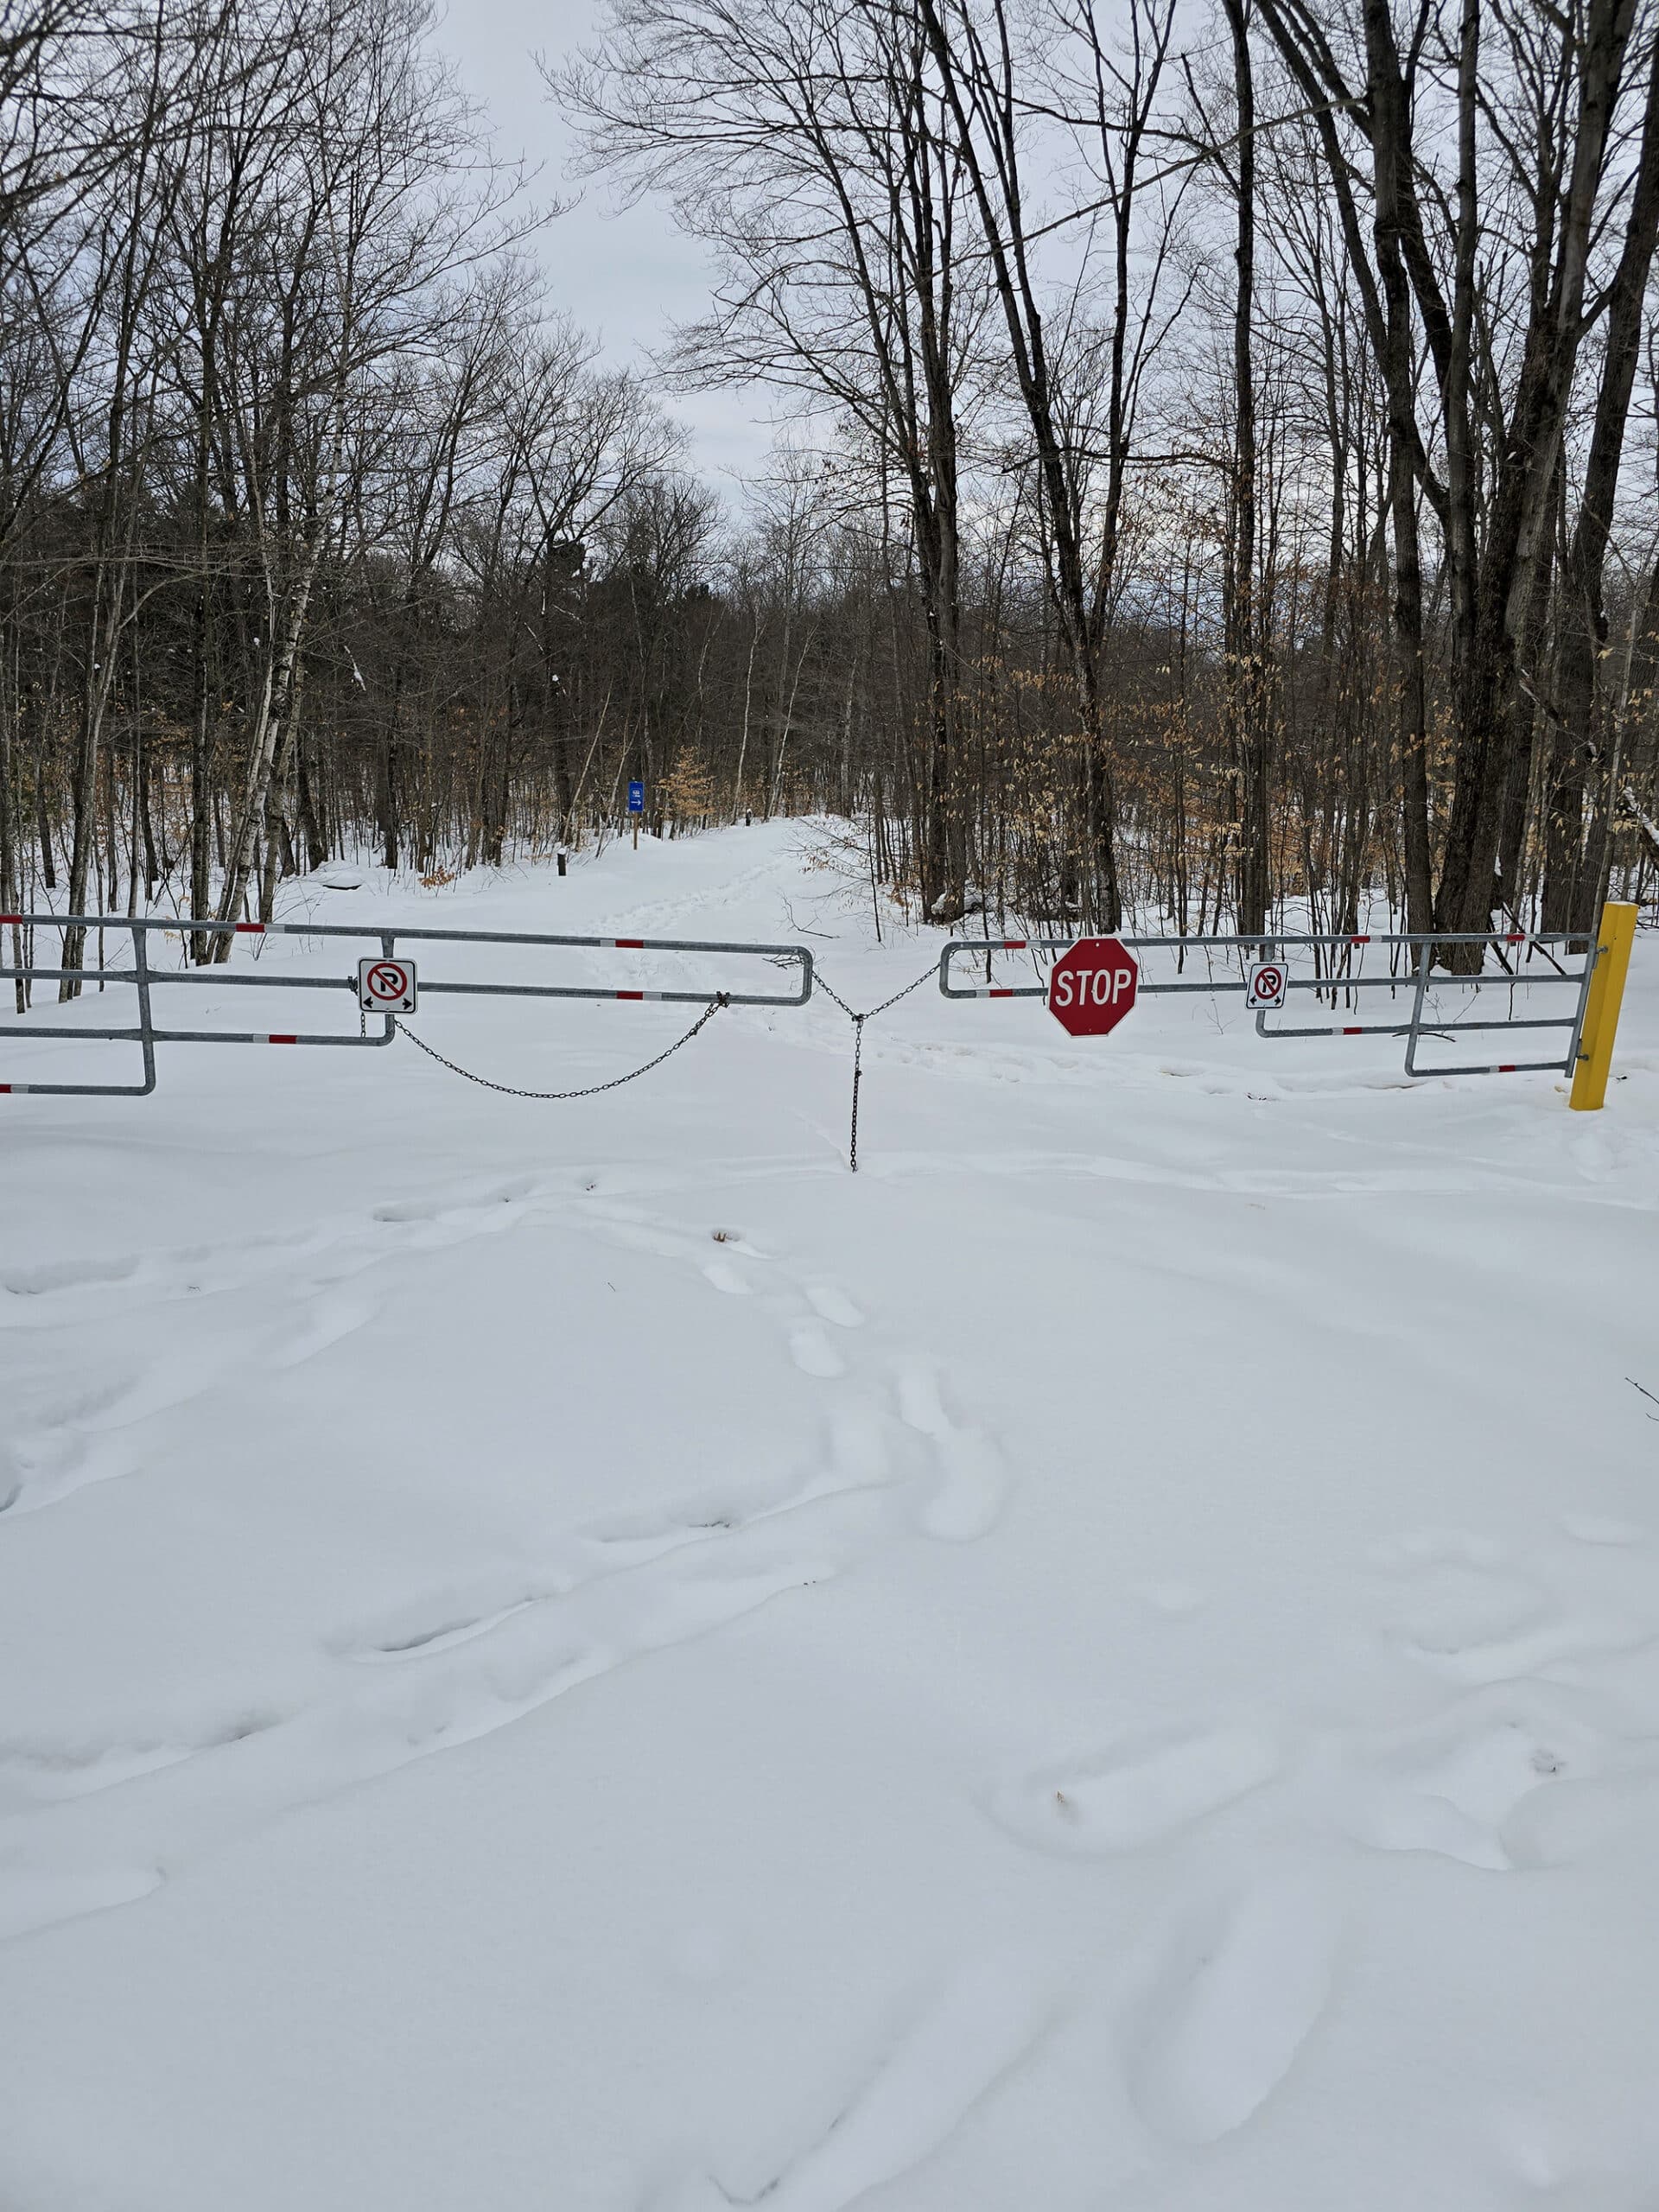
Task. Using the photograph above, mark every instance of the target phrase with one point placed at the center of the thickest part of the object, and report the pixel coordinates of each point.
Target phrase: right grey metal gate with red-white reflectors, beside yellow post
(1337, 972)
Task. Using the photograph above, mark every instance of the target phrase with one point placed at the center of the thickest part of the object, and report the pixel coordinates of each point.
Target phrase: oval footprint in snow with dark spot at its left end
(1142, 1791)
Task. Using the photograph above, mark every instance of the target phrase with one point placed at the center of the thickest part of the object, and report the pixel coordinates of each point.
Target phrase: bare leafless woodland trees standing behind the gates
(1224, 468)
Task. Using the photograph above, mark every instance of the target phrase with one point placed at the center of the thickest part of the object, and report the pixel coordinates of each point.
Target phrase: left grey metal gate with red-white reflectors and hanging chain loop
(147, 977)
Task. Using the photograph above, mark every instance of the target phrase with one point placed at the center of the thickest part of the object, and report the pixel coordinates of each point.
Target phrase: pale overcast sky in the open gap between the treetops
(625, 278)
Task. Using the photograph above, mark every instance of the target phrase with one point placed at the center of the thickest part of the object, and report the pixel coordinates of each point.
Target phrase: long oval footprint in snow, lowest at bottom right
(1235, 2005)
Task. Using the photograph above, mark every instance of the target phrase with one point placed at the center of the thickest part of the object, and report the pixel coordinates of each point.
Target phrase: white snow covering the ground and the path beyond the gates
(581, 1658)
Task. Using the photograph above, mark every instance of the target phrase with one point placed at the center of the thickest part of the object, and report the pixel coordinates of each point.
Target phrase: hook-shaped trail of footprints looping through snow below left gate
(474, 1653)
